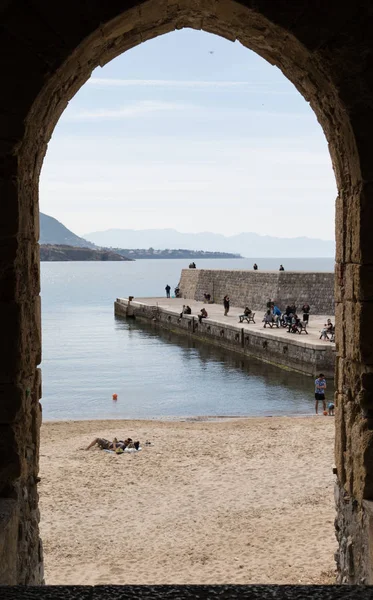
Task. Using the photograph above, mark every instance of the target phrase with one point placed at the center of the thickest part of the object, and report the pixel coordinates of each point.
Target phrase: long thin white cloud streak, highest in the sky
(187, 84)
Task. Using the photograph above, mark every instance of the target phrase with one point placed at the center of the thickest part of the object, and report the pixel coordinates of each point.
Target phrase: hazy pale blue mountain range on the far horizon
(246, 244)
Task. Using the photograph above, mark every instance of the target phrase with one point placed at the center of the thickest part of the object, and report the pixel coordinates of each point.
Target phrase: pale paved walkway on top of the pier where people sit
(216, 313)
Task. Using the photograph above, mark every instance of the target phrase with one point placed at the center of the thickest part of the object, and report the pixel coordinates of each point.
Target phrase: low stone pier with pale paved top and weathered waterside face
(305, 354)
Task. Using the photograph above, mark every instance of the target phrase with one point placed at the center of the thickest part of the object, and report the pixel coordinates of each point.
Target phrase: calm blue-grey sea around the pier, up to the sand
(88, 354)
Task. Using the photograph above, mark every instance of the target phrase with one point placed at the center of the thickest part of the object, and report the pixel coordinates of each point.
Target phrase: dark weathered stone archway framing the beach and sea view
(51, 50)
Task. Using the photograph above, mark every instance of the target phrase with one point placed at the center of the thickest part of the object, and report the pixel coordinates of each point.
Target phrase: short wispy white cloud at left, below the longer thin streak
(126, 112)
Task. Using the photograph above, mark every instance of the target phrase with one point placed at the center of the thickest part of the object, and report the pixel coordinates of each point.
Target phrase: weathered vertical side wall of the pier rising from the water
(284, 352)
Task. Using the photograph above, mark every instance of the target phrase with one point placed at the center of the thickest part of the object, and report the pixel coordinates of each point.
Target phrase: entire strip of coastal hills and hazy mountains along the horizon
(58, 243)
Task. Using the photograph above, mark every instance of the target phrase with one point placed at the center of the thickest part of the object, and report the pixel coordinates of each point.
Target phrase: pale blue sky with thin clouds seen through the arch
(192, 132)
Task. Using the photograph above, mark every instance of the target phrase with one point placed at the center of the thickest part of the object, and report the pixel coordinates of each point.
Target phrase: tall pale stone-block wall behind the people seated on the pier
(254, 288)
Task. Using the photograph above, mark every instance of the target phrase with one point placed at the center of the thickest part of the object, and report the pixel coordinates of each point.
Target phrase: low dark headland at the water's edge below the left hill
(55, 253)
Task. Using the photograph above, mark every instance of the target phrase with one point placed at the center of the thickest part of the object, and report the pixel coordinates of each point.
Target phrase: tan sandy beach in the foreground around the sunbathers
(233, 501)
